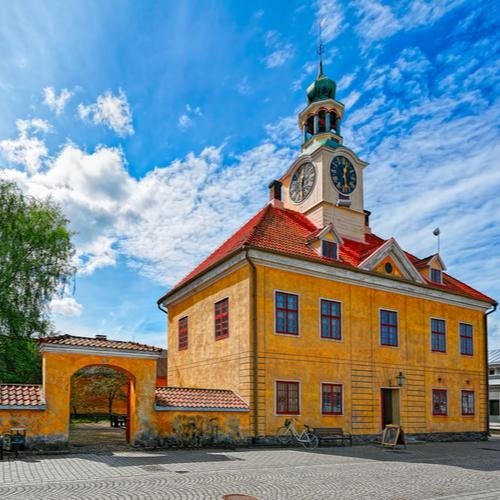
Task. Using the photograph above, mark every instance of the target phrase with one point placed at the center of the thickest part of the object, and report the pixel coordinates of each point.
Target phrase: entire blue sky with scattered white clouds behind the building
(158, 125)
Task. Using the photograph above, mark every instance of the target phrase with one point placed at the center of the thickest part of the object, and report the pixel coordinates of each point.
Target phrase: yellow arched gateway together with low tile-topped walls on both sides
(155, 414)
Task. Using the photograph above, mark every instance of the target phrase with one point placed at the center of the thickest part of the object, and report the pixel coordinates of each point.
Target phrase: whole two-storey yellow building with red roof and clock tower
(305, 312)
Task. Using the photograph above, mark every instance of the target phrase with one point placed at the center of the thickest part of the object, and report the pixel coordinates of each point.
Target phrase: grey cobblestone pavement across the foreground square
(422, 471)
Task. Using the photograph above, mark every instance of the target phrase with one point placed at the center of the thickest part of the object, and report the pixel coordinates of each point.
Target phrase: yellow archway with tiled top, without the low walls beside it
(64, 355)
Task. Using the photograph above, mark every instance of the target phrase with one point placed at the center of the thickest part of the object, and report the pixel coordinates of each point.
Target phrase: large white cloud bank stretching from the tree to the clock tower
(162, 223)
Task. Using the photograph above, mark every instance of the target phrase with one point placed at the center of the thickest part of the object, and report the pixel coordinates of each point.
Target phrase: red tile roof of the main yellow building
(288, 232)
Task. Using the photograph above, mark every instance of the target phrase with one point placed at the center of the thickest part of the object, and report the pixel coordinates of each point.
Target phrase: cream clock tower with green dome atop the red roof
(325, 182)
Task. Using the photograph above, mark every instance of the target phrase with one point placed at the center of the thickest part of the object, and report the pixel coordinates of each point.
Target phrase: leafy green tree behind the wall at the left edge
(35, 264)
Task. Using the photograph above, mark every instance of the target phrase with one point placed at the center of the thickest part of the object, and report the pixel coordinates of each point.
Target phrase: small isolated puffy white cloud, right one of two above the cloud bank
(110, 110)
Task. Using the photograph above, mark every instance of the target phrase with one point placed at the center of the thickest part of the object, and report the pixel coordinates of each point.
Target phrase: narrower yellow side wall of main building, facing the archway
(209, 363)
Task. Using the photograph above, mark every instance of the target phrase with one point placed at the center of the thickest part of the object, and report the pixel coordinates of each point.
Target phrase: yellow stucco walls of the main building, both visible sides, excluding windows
(358, 361)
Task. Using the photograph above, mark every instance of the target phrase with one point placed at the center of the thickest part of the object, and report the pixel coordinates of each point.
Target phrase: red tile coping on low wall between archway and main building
(180, 397)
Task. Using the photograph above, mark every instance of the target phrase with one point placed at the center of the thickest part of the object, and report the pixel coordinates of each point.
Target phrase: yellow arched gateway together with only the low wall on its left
(44, 410)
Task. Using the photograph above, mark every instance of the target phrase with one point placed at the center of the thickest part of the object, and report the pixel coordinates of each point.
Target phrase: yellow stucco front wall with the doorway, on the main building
(360, 363)
